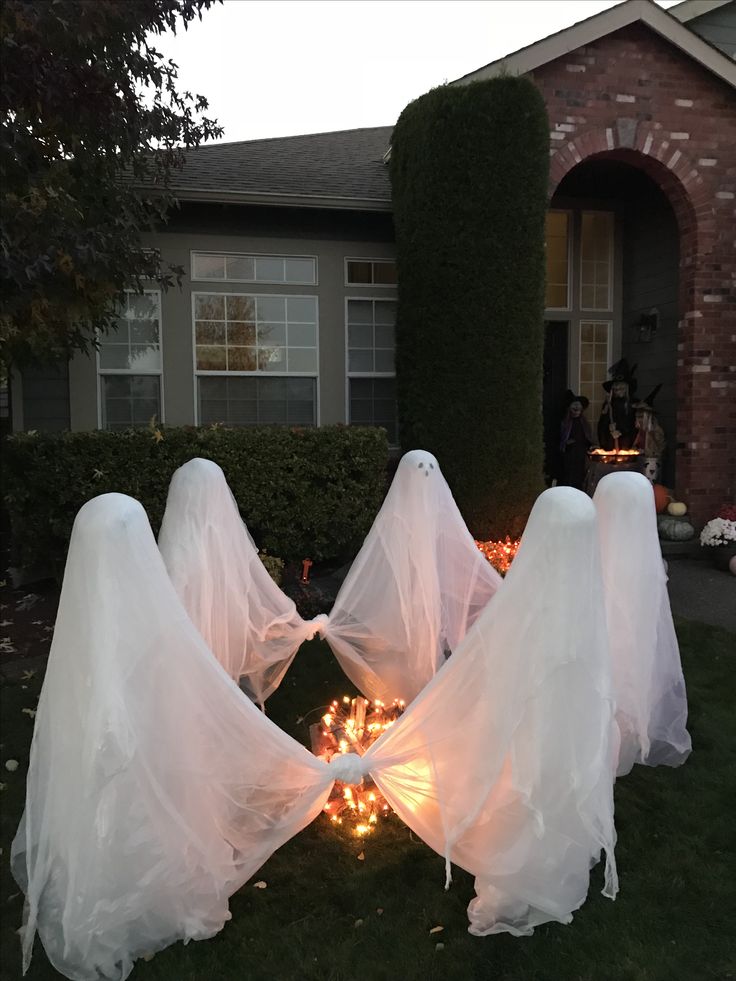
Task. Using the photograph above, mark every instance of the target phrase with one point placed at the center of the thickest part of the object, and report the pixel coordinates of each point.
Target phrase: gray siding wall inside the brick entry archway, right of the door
(651, 260)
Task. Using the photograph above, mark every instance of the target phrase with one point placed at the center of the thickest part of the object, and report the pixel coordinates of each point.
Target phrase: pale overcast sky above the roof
(284, 67)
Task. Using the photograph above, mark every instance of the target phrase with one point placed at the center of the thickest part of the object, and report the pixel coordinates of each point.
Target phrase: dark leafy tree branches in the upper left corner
(91, 116)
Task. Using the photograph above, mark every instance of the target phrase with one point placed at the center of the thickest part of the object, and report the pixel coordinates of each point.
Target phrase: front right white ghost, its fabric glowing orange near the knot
(504, 763)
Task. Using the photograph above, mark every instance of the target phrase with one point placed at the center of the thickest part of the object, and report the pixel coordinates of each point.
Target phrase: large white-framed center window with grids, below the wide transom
(256, 358)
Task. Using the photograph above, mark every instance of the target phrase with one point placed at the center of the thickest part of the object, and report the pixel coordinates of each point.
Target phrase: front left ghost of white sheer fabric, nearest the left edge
(155, 786)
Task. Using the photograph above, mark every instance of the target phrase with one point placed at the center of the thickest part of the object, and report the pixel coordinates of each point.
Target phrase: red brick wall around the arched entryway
(634, 97)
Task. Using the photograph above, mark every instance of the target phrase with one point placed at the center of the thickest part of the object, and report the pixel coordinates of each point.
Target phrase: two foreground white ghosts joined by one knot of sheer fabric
(156, 787)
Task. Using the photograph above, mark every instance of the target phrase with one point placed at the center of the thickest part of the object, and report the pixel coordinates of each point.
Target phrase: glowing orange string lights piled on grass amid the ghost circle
(352, 725)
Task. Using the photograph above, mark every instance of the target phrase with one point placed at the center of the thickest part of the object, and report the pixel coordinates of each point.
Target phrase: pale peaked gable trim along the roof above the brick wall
(588, 31)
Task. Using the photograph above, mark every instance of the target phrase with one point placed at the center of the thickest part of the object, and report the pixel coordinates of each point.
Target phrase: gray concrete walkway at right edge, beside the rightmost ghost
(698, 591)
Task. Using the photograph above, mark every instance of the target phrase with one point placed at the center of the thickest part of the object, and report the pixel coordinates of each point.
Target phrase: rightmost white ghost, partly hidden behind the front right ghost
(649, 685)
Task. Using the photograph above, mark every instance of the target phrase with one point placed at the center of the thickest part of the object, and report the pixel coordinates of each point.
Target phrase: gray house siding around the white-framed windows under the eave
(330, 236)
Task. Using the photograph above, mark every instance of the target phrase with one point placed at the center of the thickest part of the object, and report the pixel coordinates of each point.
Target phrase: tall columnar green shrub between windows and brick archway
(469, 171)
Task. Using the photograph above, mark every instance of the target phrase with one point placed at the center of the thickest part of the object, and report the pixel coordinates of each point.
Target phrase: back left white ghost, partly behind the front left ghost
(253, 629)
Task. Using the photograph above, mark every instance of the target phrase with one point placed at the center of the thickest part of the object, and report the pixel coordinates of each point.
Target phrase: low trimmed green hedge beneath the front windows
(302, 492)
